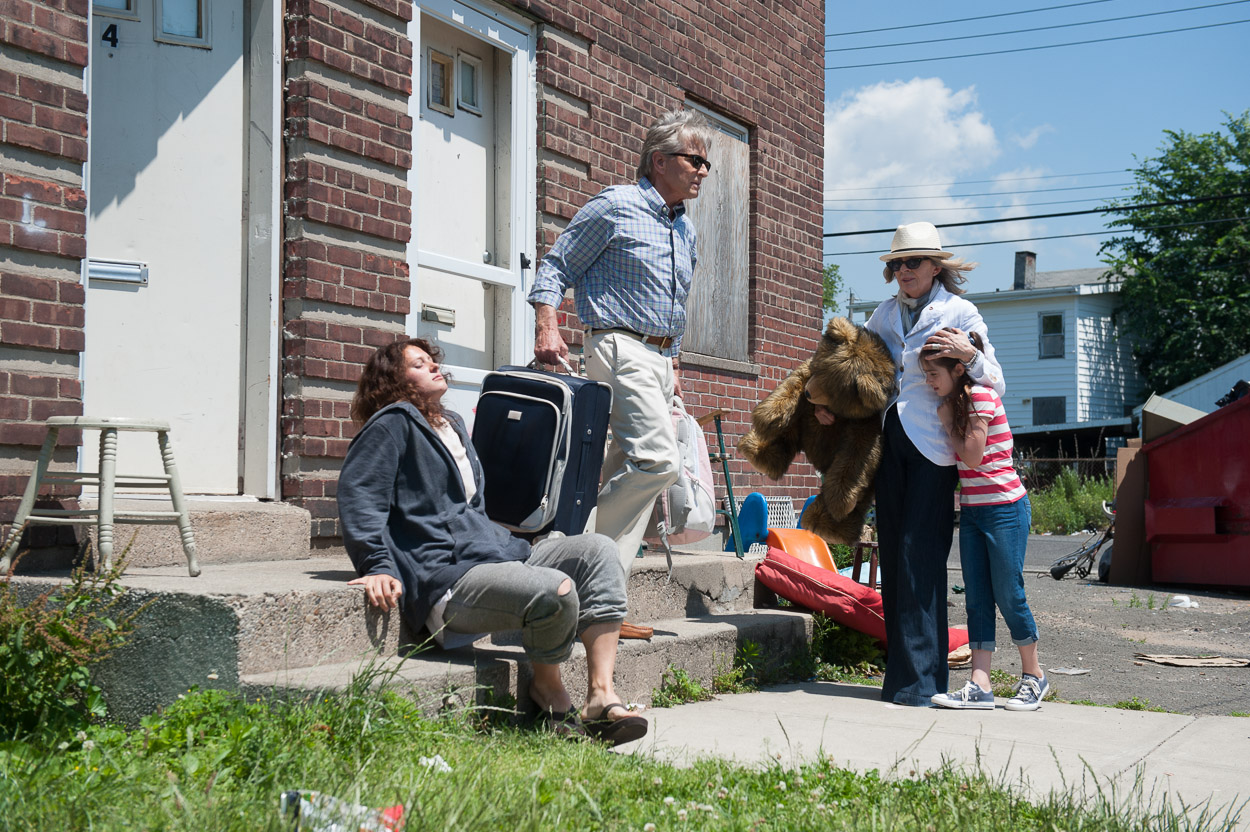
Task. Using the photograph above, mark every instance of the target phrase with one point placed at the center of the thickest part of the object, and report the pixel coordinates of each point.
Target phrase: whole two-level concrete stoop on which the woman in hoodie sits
(296, 624)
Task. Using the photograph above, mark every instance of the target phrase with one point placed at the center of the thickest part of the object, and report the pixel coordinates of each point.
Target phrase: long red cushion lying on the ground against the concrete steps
(846, 602)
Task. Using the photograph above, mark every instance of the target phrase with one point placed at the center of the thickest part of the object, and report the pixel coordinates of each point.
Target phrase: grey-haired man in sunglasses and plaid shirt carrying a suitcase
(629, 255)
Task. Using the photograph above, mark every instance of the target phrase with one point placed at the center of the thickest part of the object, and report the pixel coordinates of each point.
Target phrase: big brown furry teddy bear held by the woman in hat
(853, 375)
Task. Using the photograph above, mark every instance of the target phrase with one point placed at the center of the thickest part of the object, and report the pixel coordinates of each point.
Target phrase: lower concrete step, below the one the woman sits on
(492, 674)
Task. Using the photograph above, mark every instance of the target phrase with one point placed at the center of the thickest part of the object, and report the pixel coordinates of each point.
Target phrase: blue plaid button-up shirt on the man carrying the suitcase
(631, 264)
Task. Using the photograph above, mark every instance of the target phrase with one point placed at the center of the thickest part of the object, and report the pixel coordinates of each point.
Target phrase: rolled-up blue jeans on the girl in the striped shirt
(992, 544)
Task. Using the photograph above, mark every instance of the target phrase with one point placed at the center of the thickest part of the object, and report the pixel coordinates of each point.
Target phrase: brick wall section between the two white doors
(348, 218)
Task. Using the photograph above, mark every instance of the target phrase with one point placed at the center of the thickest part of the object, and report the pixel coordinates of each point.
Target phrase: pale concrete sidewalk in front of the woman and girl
(1067, 748)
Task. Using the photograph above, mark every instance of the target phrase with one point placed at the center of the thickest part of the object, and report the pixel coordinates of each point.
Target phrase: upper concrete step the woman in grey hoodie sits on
(242, 620)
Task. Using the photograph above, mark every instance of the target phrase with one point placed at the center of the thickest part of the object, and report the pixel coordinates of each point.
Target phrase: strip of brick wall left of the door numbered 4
(43, 225)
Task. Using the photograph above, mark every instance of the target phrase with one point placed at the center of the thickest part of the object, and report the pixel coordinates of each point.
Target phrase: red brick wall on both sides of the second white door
(606, 72)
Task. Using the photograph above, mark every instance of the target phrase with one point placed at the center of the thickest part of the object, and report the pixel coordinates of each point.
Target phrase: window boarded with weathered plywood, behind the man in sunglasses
(717, 312)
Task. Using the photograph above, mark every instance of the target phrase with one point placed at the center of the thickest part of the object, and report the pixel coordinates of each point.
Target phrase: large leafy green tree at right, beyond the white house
(1187, 268)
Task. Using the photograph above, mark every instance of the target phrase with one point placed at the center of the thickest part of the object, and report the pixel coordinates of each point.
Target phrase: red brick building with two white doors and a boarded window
(372, 144)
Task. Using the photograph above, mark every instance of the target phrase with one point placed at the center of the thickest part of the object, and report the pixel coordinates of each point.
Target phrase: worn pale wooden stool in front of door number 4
(108, 479)
